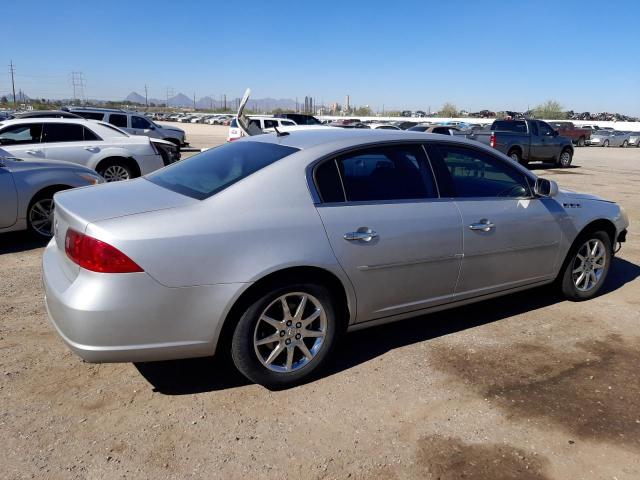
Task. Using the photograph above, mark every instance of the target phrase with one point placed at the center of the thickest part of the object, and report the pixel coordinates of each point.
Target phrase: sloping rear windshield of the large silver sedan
(209, 172)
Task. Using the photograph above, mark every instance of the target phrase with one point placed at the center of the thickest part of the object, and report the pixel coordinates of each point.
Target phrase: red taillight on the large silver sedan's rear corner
(96, 255)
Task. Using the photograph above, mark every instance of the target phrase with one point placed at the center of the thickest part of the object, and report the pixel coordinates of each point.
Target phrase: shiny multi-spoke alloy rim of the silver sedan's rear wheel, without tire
(290, 332)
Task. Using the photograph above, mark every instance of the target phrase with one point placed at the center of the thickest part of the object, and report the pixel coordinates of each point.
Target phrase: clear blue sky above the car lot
(406, 54)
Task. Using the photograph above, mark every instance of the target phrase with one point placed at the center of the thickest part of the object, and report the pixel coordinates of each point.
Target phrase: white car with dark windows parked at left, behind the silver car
(111, 152)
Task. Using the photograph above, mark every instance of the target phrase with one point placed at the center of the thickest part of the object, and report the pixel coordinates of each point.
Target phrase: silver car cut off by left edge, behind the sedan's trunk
(27, 188)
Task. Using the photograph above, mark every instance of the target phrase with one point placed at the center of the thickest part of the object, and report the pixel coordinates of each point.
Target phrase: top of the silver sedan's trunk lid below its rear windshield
(118, 199)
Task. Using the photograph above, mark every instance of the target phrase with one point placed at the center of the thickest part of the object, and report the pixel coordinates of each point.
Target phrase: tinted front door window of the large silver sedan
(467, 172)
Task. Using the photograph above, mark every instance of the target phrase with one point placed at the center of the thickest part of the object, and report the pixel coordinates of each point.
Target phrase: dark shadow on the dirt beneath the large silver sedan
(180, 377)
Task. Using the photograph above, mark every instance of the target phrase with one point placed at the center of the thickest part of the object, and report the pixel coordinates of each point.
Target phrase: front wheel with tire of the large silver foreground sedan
(587, 266)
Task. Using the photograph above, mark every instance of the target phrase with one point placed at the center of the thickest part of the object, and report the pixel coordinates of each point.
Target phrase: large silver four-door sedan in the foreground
(273, 246)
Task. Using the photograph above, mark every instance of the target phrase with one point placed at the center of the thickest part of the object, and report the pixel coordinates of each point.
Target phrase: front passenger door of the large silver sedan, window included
(510, 237)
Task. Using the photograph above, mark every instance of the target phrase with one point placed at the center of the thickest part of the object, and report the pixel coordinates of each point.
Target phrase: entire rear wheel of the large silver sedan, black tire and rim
(285, 335)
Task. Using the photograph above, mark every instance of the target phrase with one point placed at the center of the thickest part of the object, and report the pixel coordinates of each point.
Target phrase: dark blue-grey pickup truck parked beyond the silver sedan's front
(526, 141)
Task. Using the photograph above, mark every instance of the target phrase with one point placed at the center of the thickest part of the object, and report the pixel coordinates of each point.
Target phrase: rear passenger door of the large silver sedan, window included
(397, 241)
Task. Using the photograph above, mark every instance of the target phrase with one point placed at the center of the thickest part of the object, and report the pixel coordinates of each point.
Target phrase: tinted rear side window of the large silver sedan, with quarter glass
(394, 172)
